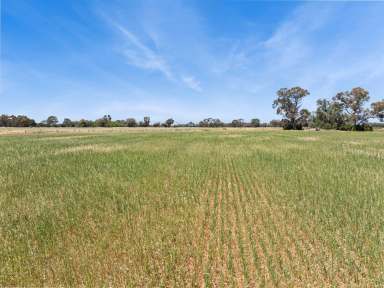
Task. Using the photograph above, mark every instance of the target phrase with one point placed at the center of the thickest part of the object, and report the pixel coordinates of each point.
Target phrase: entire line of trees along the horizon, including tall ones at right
(345, 111)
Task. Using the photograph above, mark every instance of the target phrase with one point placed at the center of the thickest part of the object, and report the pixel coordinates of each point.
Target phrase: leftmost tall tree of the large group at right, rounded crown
(288, 104)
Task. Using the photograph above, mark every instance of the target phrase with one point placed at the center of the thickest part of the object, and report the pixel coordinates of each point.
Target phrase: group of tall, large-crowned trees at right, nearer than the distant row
(345, 111)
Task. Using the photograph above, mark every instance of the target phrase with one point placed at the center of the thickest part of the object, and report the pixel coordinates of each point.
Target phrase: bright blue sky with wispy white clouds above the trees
(188, 60)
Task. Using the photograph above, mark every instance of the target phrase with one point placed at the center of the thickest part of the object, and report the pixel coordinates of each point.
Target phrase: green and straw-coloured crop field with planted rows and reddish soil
(195, 207)
